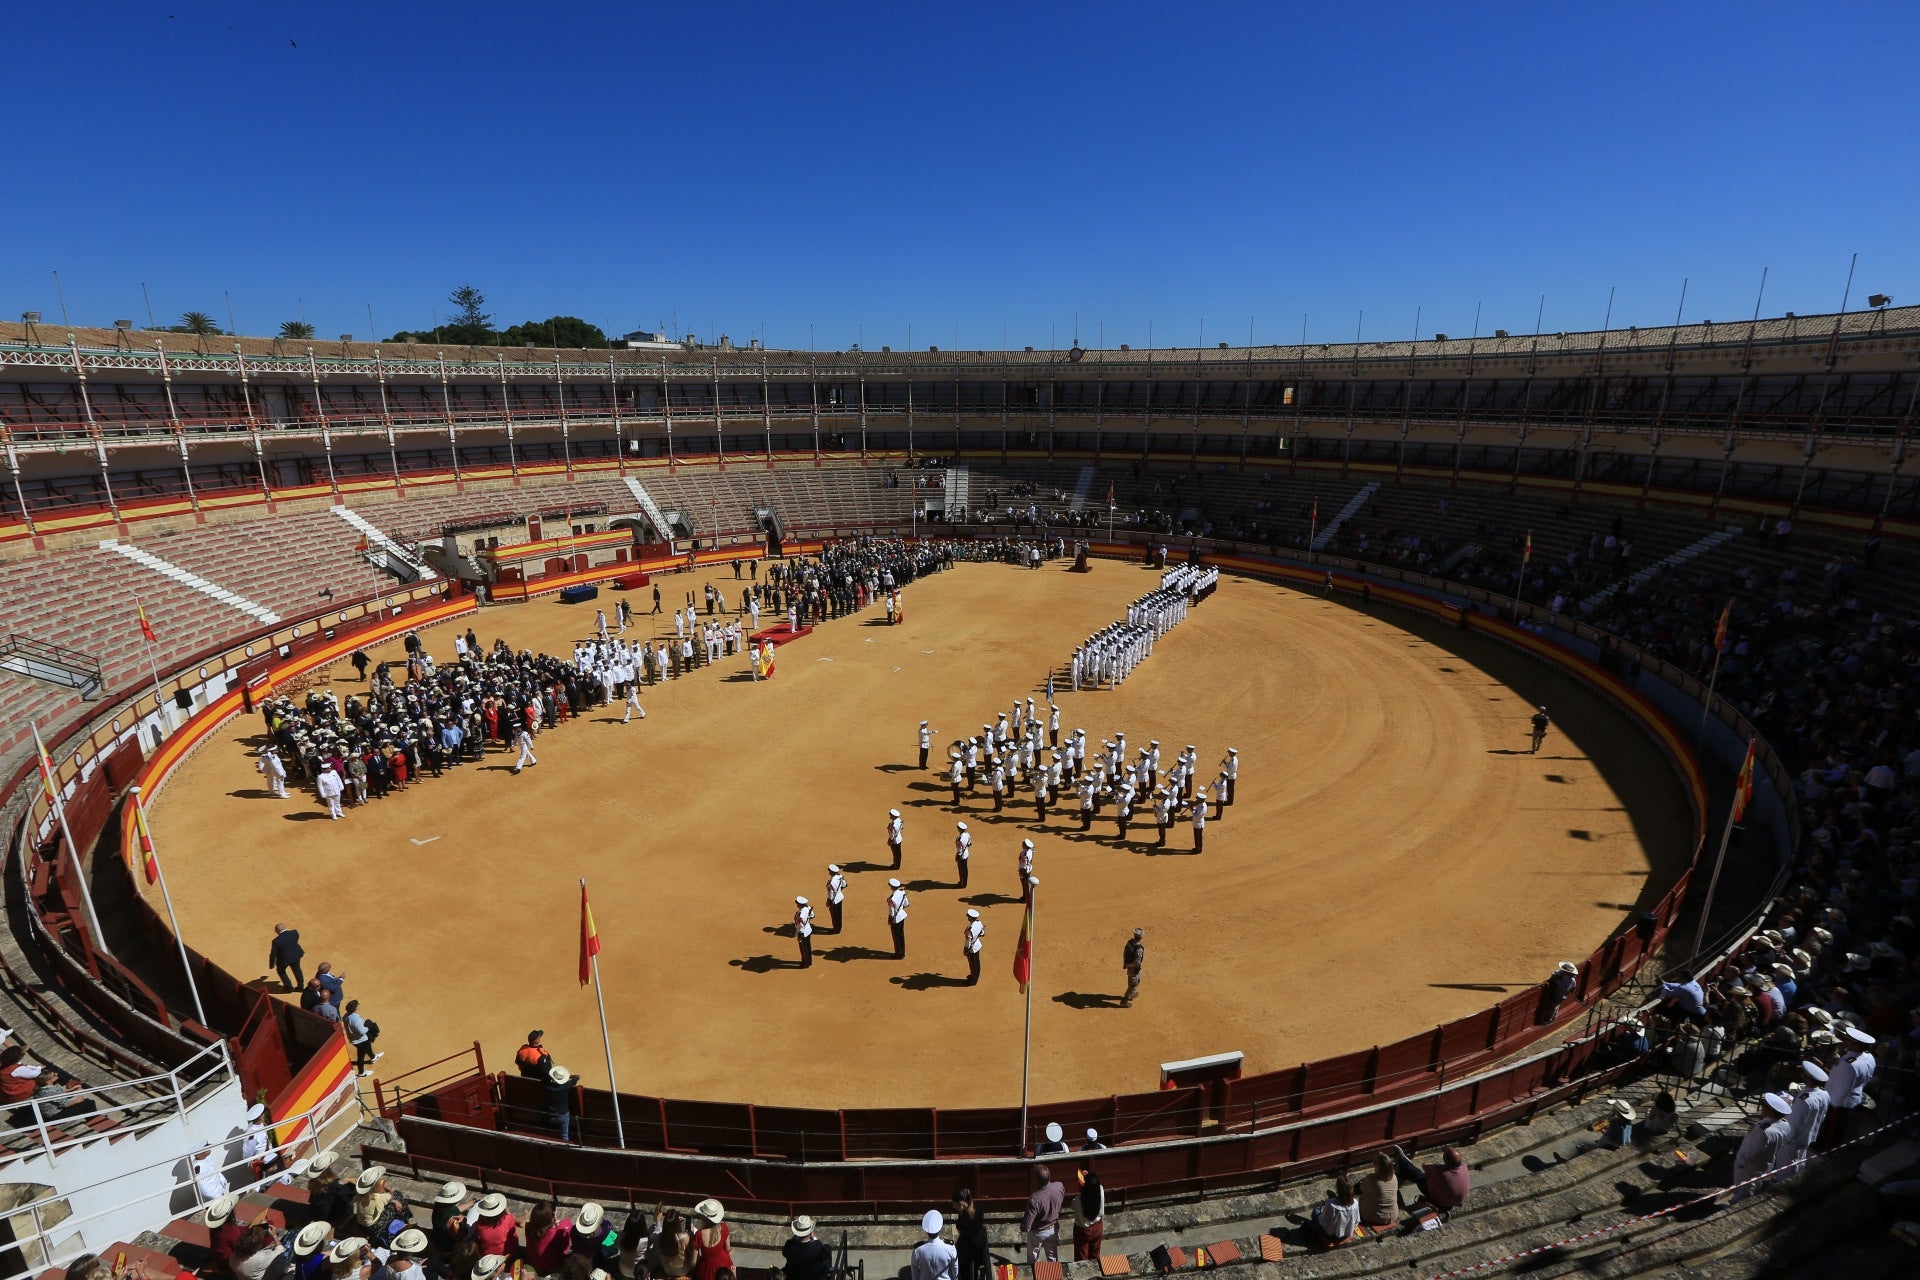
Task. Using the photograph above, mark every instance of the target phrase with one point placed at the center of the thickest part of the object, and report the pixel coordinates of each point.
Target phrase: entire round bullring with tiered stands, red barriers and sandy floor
(1372, 922)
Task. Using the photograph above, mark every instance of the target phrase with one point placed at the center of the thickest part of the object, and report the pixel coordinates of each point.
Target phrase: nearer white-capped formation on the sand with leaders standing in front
(1024, 747)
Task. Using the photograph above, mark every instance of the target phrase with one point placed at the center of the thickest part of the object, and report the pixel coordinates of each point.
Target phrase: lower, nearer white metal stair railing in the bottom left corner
(314, 1129)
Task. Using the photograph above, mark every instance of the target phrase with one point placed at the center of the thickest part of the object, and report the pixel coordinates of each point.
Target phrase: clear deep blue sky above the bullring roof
(969, 172)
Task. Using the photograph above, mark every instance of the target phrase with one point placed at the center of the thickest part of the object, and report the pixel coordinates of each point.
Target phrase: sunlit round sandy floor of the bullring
(1395, 859)
